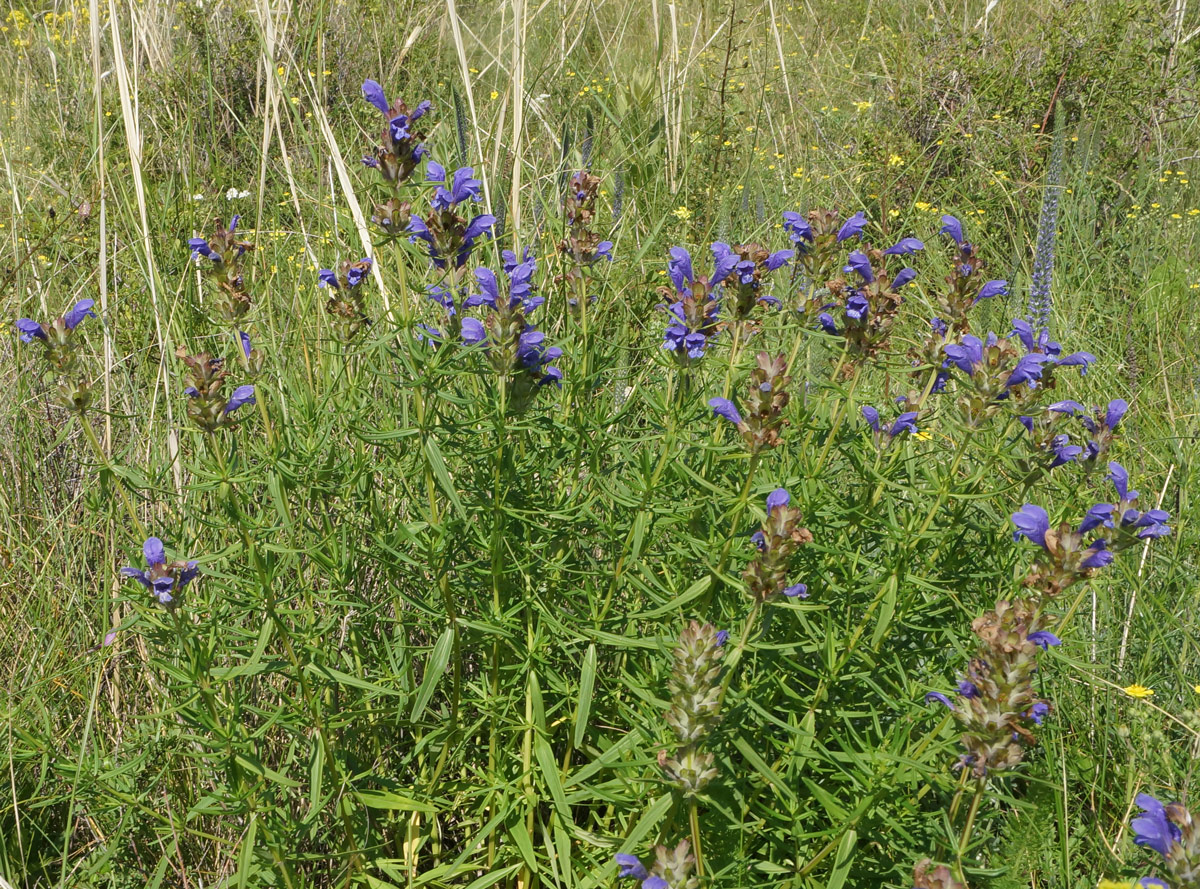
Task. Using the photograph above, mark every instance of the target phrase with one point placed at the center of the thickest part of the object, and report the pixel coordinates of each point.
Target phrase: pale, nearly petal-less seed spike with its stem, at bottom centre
(693, 714)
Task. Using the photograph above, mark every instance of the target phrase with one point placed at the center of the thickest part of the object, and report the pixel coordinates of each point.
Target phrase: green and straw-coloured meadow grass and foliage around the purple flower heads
(431, 640)
